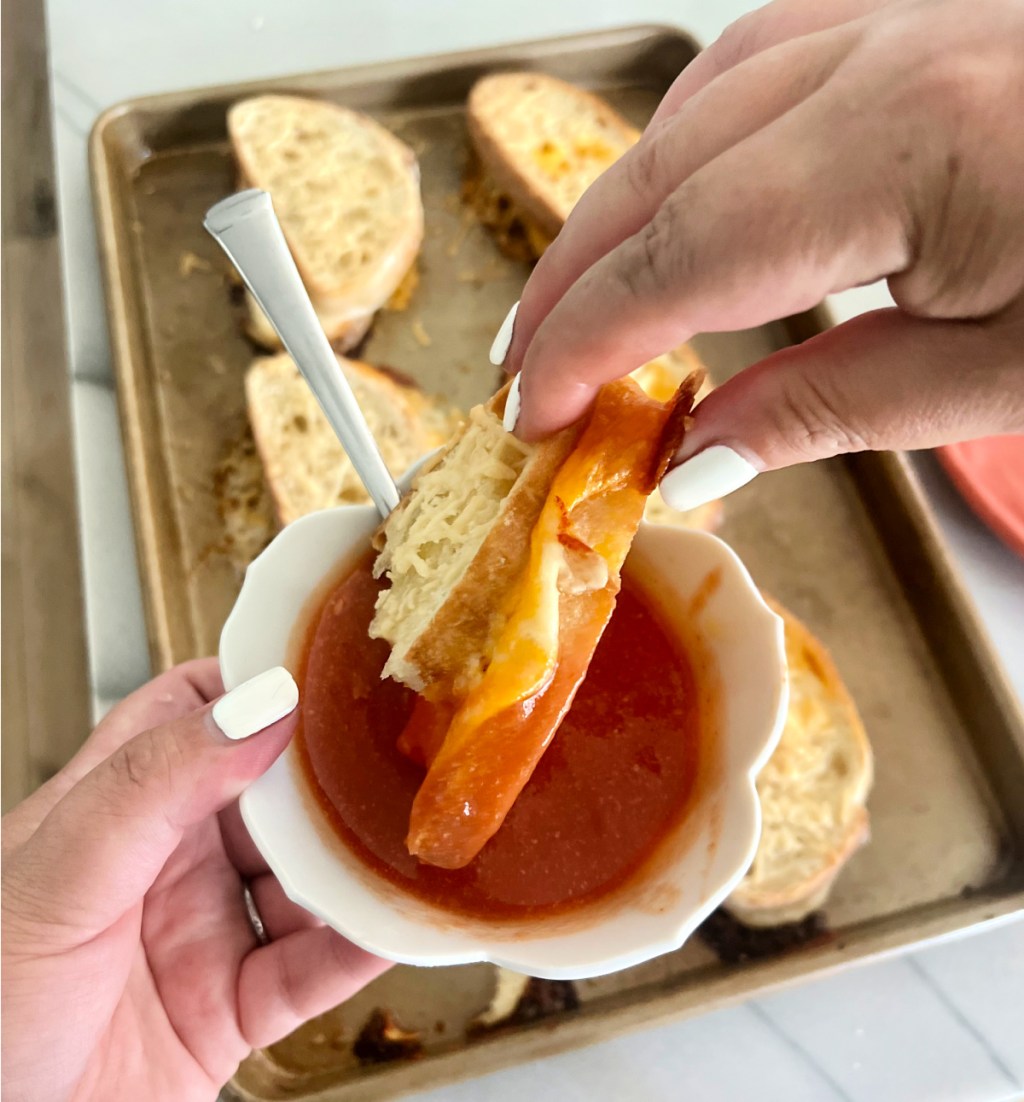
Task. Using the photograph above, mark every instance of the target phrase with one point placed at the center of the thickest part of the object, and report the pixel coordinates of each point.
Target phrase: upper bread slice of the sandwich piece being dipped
(455, 546)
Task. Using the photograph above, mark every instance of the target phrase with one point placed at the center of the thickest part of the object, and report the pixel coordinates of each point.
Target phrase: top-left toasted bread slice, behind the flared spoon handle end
(348, 195)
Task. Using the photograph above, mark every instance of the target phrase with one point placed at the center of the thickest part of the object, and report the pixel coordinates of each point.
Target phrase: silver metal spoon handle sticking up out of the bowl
(246, 228)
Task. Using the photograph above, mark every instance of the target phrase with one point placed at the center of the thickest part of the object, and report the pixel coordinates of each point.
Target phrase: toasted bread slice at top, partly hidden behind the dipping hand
(540, 144)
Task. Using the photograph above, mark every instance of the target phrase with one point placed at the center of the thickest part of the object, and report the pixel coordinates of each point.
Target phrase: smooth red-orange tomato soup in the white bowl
(615, 782)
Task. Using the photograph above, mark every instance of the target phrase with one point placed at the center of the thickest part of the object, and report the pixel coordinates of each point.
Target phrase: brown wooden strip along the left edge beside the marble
(47, 695)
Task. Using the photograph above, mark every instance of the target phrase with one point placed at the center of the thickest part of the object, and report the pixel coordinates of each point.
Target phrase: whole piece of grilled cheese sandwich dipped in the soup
(544, 554)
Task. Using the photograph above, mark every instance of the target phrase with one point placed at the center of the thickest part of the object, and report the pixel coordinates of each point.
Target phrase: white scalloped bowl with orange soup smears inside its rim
(741, 673)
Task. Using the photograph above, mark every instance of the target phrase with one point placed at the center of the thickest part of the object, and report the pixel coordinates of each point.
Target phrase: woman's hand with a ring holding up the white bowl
(131, 967)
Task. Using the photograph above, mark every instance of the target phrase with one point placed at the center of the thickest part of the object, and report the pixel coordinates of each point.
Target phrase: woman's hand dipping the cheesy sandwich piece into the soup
(814, 148)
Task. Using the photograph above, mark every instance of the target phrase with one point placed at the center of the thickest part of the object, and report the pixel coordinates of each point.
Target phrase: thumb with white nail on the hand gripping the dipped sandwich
(883, 381)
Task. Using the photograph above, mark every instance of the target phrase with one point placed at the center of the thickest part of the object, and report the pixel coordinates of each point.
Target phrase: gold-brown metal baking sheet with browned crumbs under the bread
(848, 545)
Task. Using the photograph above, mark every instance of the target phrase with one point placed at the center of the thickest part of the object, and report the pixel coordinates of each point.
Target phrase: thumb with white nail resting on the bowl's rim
(103, 846)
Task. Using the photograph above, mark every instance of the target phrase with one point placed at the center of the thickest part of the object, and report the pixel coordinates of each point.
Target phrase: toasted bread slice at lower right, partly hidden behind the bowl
(813, 792)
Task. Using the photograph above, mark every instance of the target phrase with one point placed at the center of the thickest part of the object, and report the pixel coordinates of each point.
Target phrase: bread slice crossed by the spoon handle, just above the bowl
(306, 467)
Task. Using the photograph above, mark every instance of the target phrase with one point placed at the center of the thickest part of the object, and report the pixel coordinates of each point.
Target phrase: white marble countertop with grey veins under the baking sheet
(945, 1022)
